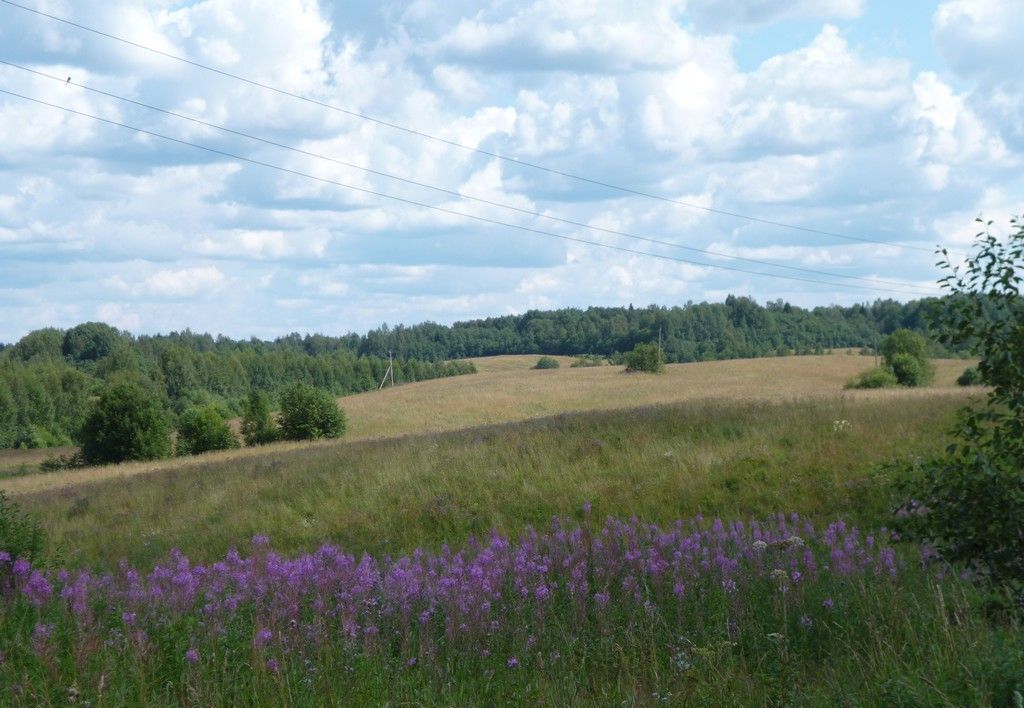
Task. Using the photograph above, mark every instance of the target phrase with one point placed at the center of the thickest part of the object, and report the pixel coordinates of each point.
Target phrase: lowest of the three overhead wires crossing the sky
(446, 211)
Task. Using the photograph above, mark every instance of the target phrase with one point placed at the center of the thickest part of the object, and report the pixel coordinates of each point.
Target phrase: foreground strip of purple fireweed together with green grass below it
(771, 612)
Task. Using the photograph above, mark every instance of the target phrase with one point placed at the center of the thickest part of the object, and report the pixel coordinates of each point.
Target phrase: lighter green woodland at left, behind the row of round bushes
(51, 379)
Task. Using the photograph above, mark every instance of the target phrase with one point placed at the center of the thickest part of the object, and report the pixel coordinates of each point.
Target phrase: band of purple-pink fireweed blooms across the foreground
(490, 594)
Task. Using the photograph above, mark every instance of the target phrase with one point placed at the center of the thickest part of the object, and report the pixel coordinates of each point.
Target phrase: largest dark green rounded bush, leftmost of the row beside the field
(125, 424)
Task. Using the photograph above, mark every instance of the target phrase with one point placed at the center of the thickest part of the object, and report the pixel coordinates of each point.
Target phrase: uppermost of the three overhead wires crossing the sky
(455, 144)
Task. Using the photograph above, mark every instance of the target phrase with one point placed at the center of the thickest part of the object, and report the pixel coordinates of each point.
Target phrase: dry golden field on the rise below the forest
(507, 390)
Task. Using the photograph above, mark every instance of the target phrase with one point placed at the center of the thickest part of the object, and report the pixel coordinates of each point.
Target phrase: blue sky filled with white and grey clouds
(893, 124)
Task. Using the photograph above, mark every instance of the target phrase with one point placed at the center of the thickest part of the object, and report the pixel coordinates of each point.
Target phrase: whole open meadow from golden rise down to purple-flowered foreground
(798, 610)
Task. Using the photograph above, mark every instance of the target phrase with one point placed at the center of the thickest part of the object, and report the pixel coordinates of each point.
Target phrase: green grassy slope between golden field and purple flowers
(734, 459)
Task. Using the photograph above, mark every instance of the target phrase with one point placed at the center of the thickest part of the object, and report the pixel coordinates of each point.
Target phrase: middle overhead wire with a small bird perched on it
(460, 195)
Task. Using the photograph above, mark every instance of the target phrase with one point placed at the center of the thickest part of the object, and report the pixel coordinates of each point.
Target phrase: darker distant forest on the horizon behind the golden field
(735, 329)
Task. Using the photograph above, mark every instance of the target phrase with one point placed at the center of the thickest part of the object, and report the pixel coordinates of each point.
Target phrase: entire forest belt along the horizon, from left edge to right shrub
(50, 377)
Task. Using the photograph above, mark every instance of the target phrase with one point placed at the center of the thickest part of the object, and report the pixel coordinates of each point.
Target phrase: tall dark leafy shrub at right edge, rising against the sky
(970, 503)
